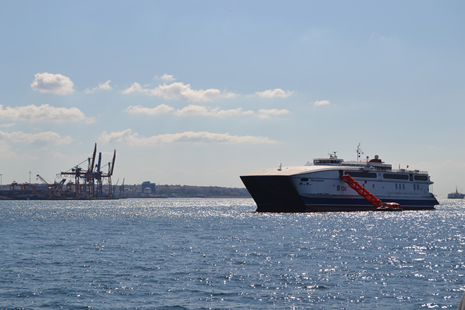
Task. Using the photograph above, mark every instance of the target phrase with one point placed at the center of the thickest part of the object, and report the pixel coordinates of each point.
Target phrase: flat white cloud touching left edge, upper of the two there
(44, 113)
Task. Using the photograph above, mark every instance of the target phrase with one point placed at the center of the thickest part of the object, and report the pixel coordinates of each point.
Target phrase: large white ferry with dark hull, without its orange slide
(319, 186)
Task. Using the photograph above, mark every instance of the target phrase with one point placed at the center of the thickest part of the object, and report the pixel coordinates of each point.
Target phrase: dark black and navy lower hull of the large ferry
(278, 194)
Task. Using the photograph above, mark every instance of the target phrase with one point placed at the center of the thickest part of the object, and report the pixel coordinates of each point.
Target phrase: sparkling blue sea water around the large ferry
(221, 254)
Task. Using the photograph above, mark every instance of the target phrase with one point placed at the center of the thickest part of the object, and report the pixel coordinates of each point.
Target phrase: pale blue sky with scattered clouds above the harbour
(200, 92)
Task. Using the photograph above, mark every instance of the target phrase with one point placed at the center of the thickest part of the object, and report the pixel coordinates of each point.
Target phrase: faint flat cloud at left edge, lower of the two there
(47, 137)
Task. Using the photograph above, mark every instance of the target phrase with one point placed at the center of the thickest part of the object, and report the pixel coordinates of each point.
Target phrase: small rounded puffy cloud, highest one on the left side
(52, 83)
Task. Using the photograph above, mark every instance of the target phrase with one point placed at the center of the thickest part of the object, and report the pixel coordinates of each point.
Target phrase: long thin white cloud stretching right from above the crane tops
(130, 138)
